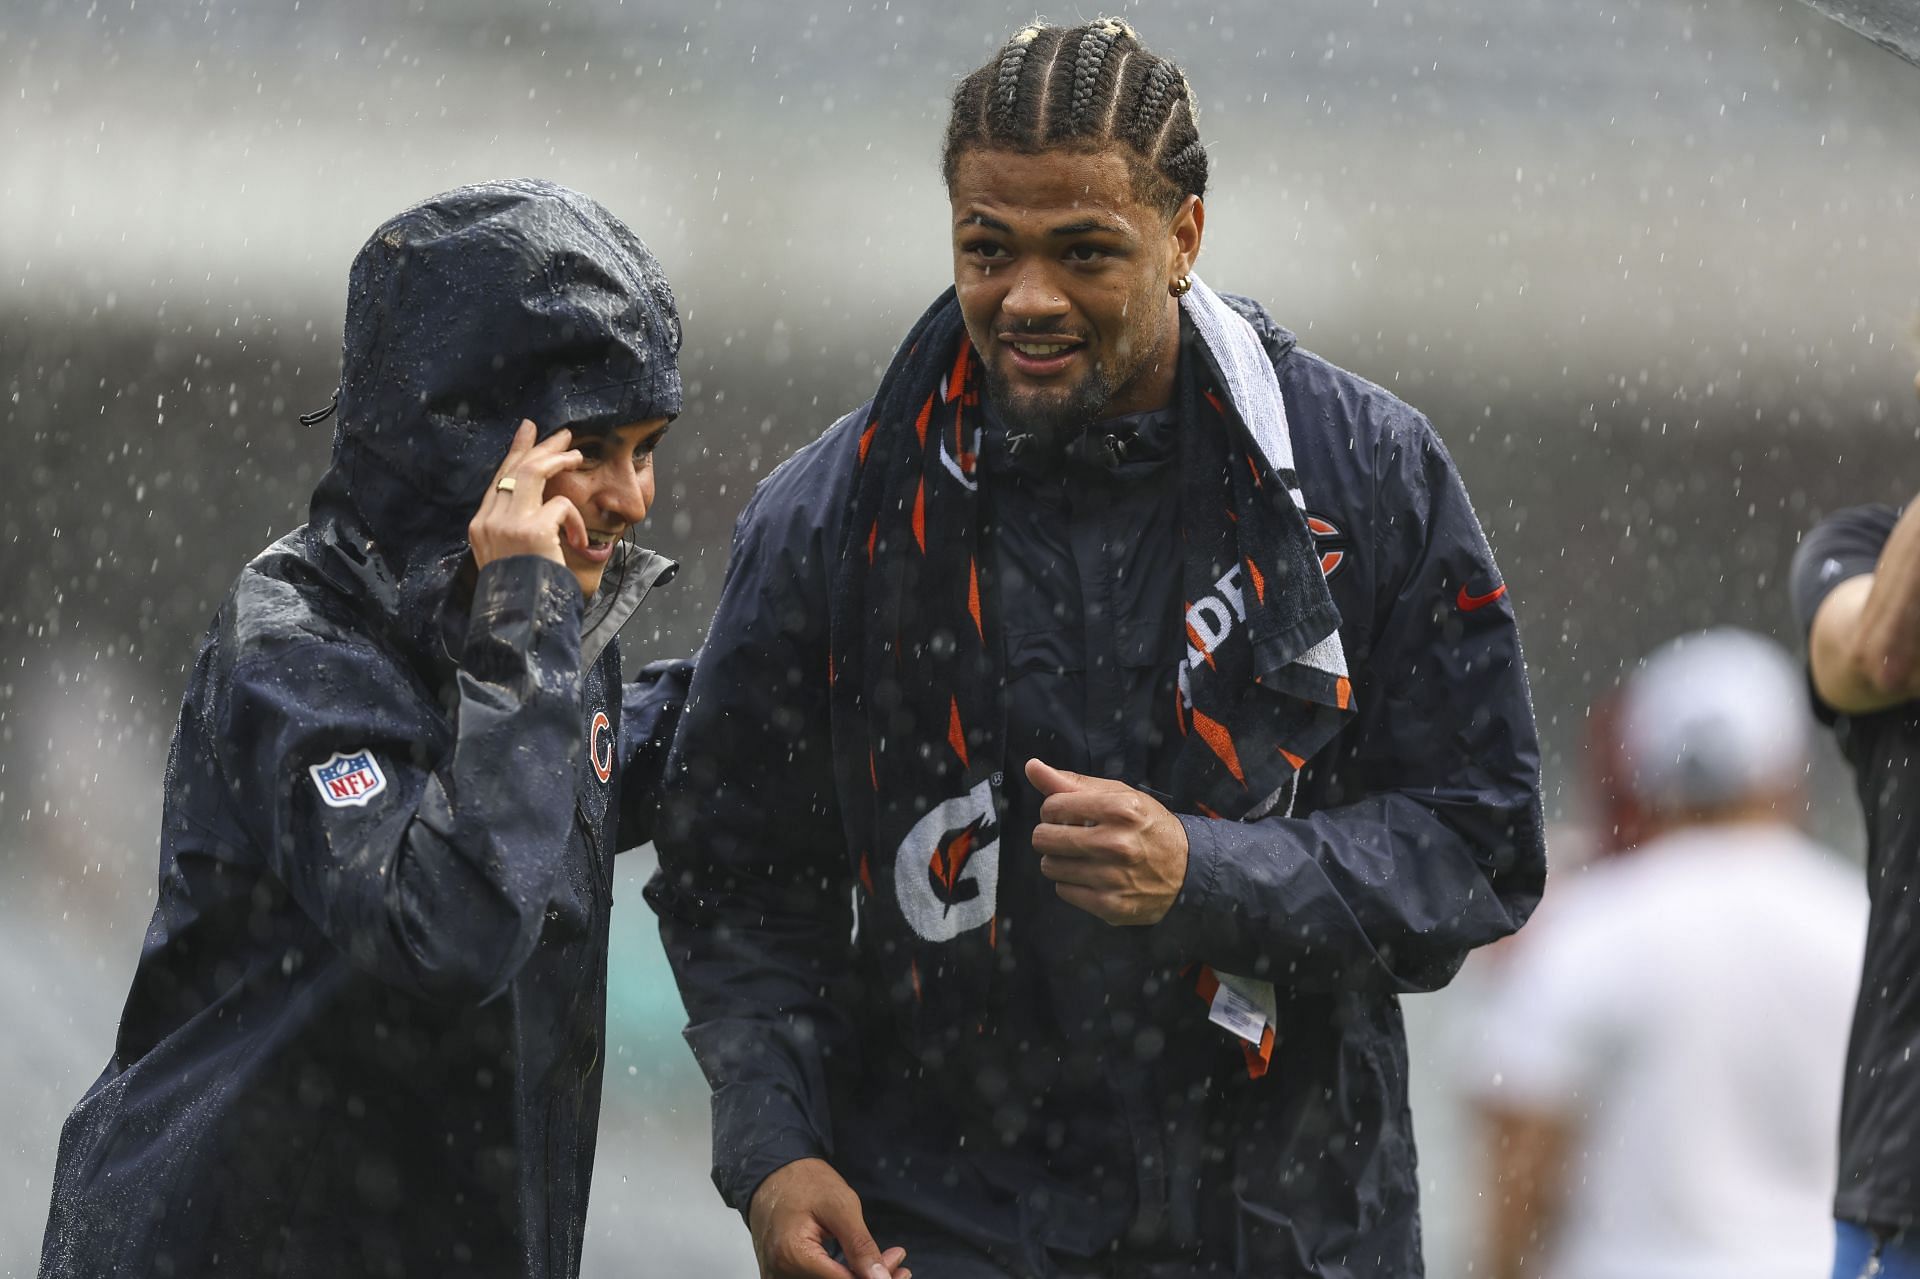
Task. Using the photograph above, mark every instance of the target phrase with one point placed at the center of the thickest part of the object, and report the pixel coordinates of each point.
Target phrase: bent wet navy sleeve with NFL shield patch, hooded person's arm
(435, 875)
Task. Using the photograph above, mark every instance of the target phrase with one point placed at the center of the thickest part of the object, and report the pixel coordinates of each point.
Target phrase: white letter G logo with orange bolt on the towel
(948, 873)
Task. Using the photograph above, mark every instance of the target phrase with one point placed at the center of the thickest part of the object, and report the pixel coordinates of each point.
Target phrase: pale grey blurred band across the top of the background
(1700, 187)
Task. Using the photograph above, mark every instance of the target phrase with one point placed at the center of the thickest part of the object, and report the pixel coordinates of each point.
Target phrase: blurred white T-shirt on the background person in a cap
(1687, 1007)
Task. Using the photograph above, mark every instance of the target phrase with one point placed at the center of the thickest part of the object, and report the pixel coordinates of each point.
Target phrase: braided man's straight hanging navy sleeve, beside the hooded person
(754, 888)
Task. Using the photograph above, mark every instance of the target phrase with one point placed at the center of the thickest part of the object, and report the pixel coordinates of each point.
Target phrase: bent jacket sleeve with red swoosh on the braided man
(1429, 834)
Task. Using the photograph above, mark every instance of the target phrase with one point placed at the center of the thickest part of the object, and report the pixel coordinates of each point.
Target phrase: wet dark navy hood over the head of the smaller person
(468, 314)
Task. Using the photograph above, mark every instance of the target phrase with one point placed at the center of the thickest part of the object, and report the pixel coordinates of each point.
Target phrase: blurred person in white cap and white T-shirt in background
(1662, 1053)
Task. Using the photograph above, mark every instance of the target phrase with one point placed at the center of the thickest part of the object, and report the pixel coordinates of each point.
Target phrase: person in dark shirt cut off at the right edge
(1858, 596)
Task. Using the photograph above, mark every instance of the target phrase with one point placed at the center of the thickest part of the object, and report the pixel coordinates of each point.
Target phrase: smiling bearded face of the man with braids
(1063, 276)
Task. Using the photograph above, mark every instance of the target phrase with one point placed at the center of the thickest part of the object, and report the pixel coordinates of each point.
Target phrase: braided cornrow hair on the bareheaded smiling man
(1084, 87)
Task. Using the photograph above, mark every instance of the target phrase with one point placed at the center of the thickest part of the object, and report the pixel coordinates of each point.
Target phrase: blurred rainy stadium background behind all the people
(1650, 266)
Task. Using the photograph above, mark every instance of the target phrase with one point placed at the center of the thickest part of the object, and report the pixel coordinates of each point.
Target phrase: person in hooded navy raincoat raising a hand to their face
(366, 1032)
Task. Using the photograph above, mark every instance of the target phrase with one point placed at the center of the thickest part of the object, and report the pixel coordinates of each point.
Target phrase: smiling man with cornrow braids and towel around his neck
(1099, 733)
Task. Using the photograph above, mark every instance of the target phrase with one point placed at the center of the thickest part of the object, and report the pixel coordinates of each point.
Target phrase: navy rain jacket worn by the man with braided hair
(1093, 1117)
